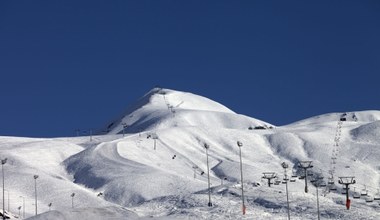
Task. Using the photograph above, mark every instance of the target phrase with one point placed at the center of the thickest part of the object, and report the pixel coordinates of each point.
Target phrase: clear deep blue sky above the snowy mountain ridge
(78, 64)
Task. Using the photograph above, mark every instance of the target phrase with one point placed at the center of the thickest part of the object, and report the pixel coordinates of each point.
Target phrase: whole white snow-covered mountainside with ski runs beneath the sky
(156, 168)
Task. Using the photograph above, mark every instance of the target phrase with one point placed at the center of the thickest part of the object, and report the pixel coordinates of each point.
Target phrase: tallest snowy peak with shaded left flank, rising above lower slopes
(163, 108)
